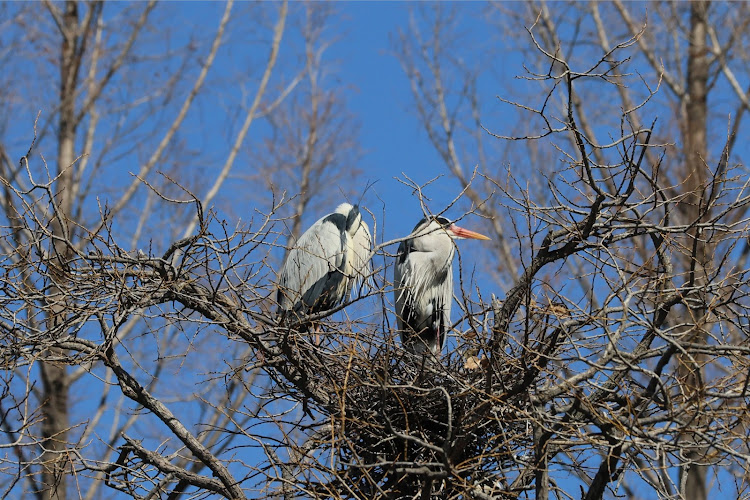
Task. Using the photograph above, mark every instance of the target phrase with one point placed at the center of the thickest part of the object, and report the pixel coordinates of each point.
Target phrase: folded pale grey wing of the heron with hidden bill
(311, 265)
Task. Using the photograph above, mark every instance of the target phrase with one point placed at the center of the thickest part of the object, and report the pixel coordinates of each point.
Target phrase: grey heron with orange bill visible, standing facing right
(423, 281)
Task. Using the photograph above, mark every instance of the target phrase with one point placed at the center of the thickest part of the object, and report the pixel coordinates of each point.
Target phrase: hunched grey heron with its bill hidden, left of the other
(324, 264)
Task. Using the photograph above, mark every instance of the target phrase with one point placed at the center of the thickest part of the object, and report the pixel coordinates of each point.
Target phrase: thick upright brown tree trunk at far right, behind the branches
(693, 475)
